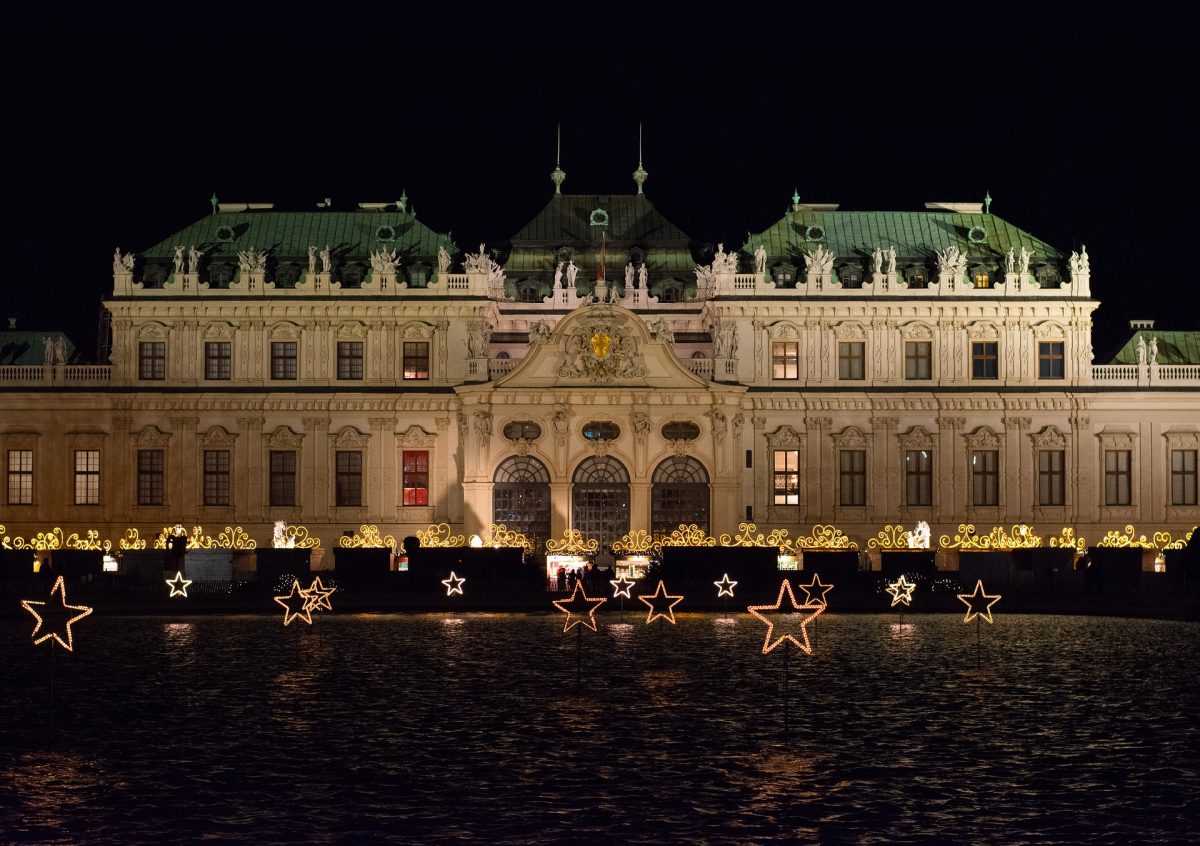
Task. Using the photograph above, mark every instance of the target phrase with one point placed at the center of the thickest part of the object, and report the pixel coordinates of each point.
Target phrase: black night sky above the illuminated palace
(1077, 121)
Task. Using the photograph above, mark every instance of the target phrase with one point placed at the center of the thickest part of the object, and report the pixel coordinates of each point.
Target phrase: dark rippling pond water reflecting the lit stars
(429, 729)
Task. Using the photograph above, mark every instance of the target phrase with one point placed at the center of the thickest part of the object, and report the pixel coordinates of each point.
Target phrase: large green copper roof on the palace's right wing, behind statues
(915, 235)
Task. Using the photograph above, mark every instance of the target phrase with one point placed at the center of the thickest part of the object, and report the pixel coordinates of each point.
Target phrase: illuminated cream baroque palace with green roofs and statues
(603, 371)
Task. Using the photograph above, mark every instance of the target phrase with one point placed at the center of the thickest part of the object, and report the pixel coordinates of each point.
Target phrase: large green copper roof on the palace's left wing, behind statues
(351, 235)
